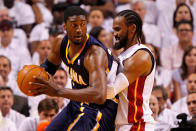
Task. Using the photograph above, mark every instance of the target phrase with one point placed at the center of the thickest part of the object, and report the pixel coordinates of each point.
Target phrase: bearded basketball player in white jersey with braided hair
(135, 75)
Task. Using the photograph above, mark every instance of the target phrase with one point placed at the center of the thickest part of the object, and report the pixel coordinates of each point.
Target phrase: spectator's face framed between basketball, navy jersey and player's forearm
(60, 78)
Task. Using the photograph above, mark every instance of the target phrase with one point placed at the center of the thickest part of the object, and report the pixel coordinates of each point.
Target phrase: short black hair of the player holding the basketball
(74, 10)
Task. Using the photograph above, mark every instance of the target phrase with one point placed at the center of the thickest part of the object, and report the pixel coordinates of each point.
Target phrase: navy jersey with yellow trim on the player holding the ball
(75, 67)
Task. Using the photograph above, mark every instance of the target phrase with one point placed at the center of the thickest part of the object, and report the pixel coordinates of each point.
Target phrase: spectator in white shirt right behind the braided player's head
(151, 32)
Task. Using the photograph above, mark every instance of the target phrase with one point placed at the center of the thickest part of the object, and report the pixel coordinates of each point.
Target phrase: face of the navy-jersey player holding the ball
(76, 27)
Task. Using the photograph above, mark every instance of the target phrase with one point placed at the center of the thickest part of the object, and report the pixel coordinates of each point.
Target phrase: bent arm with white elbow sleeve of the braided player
(138, 65)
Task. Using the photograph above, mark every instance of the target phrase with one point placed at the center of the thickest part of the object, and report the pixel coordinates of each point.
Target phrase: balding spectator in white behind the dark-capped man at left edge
(18, 33)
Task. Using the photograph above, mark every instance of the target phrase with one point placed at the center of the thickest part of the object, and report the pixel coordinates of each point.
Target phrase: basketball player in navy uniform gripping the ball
(86, 61)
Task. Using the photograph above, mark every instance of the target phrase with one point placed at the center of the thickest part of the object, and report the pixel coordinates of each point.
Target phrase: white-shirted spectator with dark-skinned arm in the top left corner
(22, 13)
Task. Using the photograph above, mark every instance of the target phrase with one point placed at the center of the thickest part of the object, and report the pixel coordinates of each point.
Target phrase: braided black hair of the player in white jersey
(133, 18)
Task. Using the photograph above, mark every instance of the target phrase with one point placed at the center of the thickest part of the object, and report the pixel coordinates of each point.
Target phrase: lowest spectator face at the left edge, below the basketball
(6, 100)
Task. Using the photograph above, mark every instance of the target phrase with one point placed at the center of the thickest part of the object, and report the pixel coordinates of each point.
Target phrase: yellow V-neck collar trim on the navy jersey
(76, 56)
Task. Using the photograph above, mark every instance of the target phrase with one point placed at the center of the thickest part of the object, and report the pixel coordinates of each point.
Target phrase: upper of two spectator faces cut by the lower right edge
(191, 83)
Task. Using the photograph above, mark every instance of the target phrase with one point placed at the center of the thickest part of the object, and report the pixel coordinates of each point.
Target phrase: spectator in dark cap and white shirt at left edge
(10, 48)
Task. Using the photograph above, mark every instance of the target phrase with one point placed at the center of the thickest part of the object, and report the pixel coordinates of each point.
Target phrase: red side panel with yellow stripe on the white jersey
(135, 91)
